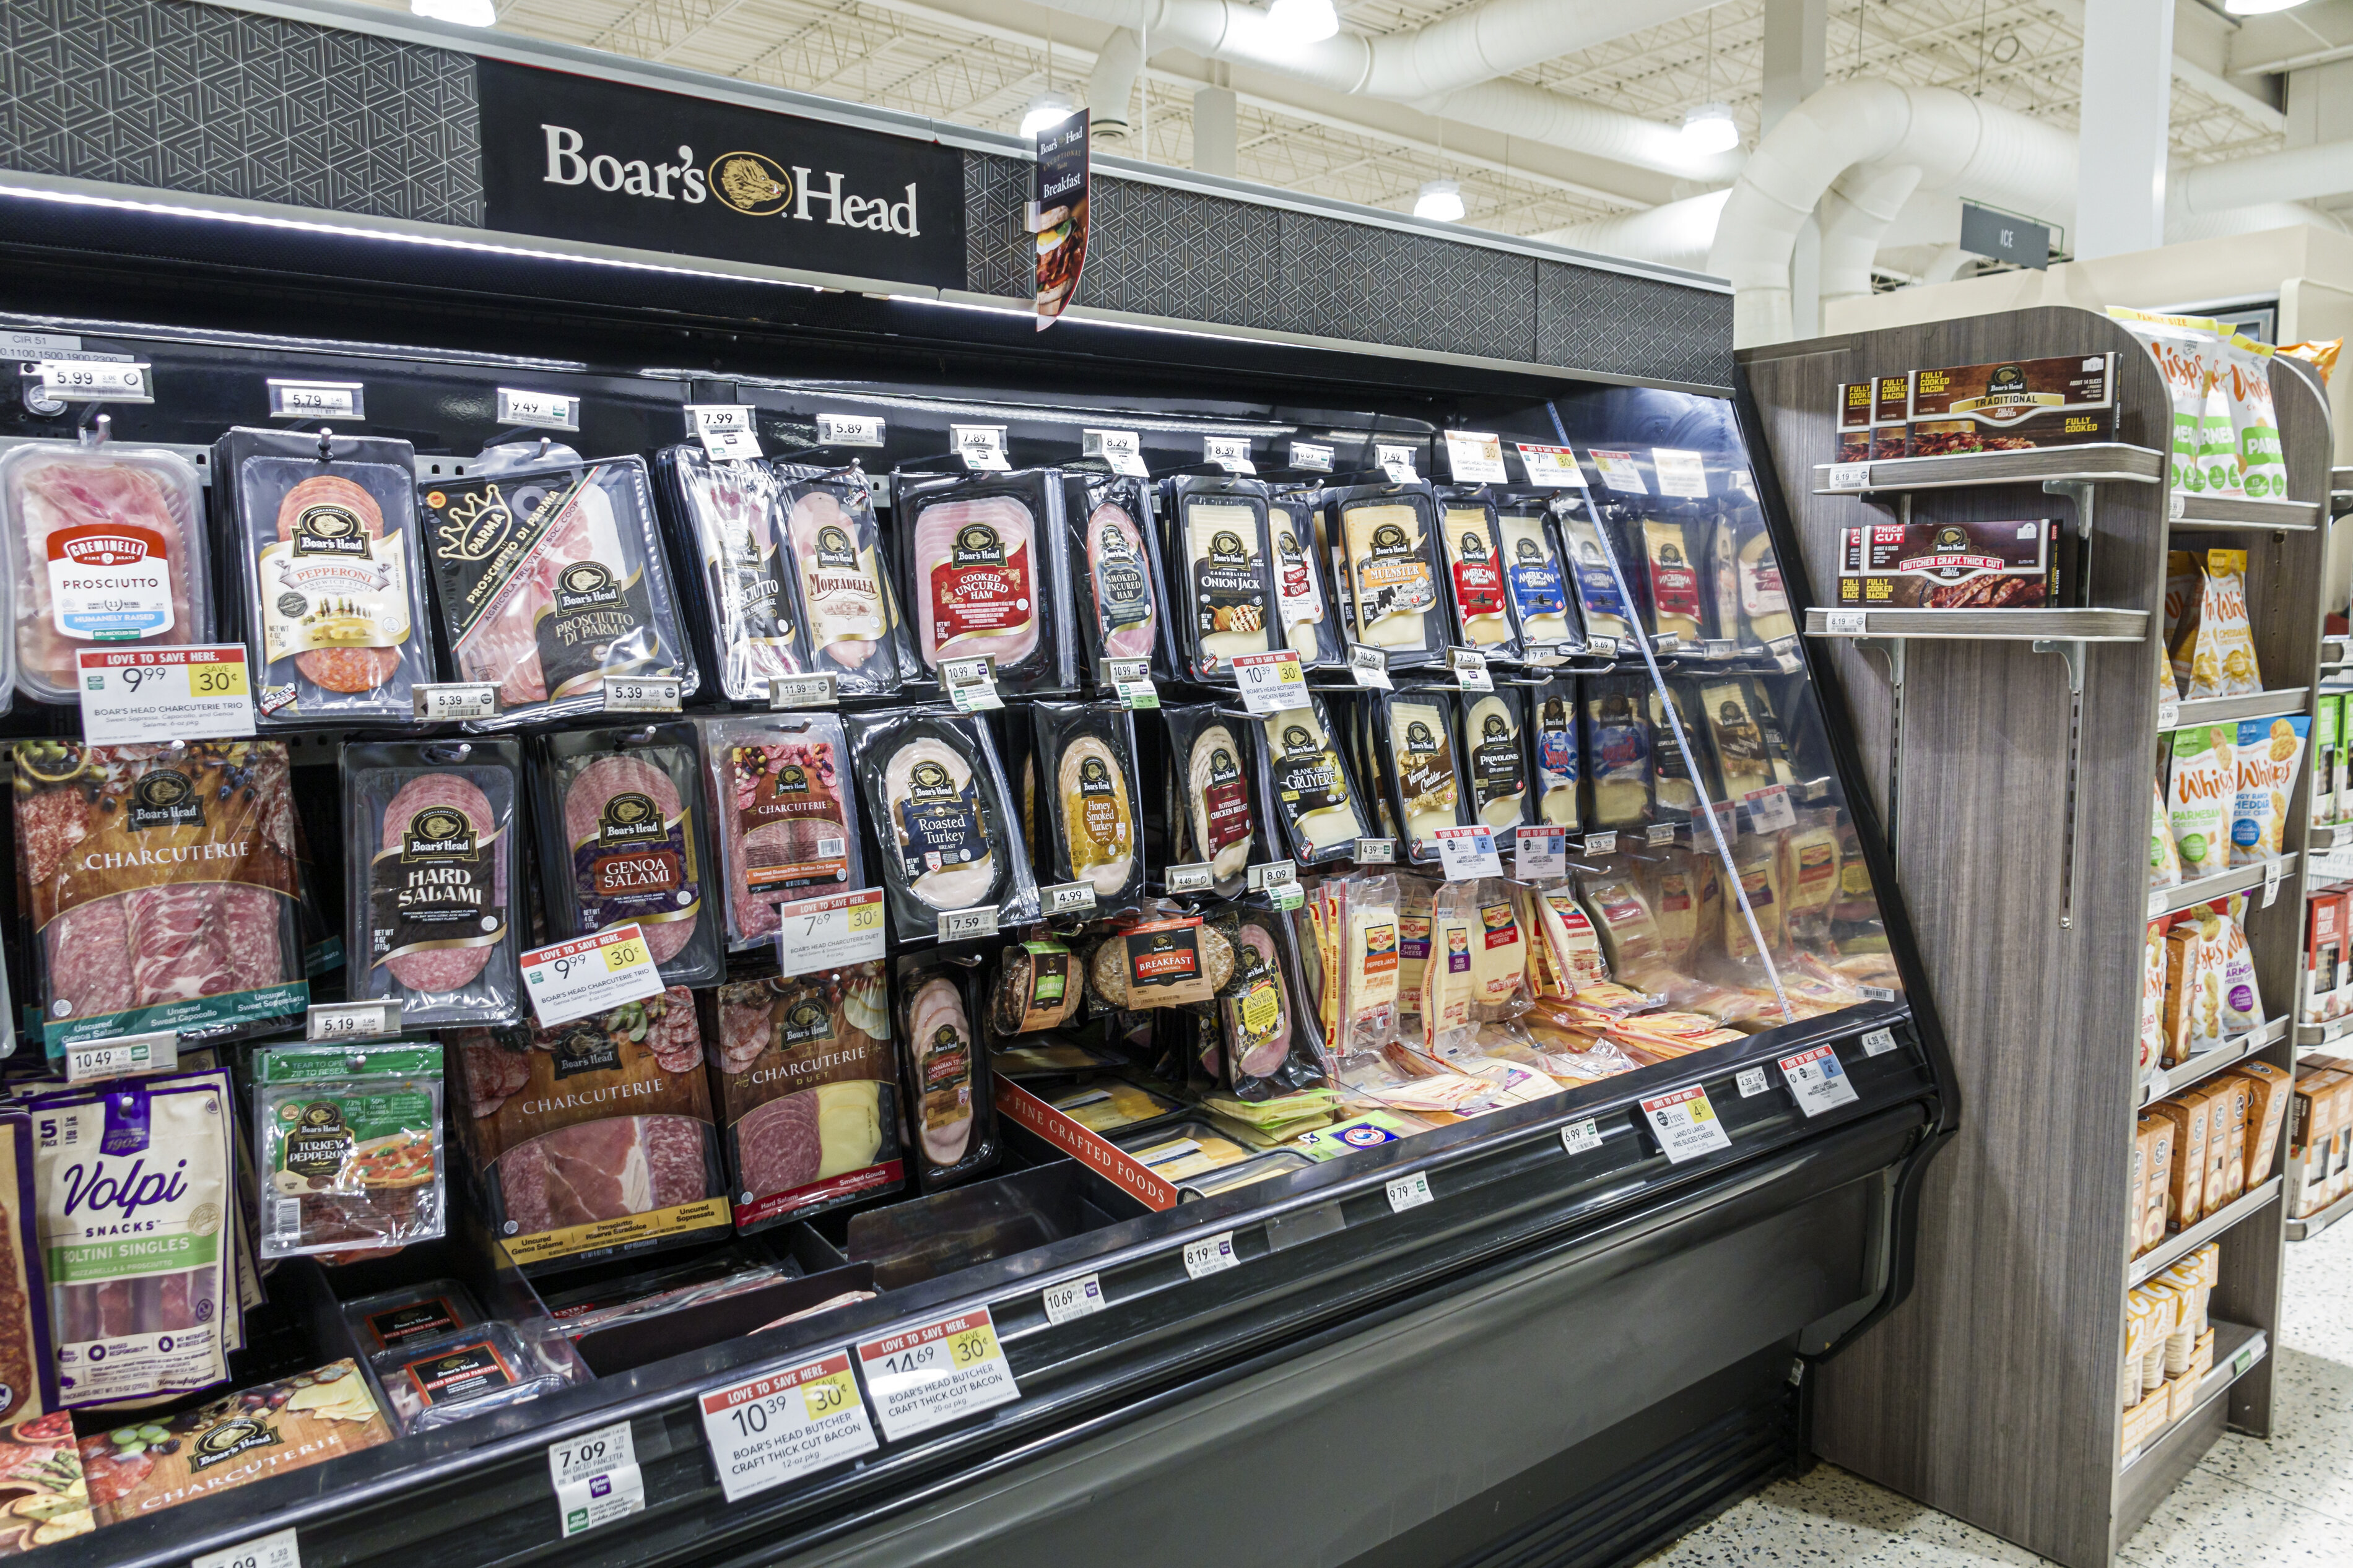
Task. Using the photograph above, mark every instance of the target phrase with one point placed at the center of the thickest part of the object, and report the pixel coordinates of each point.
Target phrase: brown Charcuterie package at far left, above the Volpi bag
(161, 885)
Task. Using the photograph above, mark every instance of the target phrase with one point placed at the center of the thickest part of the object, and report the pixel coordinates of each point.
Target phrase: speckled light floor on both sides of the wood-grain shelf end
(2248, 1503)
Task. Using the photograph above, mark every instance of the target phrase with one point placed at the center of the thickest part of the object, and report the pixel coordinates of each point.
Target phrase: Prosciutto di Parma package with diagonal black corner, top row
(552, 579)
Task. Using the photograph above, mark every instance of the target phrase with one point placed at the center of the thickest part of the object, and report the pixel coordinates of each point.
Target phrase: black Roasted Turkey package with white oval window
(935, 796)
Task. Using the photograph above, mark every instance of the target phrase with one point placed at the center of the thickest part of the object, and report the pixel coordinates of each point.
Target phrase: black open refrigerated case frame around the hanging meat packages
(1547, 1329)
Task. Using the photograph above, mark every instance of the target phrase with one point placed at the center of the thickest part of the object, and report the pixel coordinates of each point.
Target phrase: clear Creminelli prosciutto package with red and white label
(105, 547)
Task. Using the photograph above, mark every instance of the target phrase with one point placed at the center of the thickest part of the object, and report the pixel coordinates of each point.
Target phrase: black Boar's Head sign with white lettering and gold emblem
(578, 159)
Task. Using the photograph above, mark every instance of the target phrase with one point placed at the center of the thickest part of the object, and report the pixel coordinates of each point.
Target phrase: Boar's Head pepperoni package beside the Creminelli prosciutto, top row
(331, 572)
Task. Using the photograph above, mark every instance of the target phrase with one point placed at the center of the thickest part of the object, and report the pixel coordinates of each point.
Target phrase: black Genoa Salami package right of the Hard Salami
(622, 843)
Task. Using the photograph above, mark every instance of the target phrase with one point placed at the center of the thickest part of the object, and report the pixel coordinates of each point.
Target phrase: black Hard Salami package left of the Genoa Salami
(434, 878)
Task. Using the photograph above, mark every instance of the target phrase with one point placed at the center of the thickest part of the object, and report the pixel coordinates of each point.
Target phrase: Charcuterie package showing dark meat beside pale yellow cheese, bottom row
(808, 1092)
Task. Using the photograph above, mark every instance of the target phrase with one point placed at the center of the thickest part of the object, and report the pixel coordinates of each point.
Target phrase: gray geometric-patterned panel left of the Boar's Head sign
(192, 98)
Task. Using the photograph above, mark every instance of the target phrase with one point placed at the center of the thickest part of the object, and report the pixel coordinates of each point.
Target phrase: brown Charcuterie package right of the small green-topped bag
(594, 1139)
